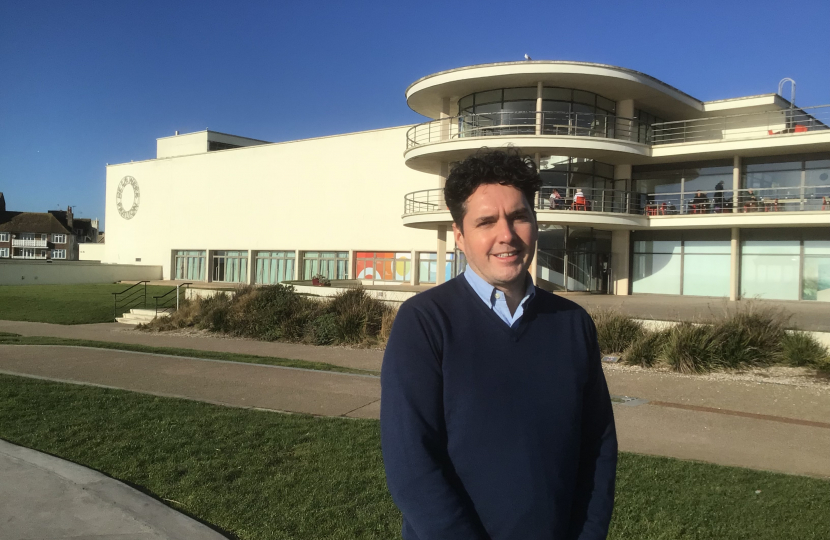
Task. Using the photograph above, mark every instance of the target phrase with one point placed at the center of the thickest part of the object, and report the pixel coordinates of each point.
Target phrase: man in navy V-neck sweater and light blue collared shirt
(495, 417)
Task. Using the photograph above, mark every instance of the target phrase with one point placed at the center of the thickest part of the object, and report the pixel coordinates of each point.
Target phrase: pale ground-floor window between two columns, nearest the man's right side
(693, 263)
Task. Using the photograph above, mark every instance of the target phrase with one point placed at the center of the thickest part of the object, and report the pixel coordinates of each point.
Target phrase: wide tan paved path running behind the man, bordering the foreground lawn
(756, 425)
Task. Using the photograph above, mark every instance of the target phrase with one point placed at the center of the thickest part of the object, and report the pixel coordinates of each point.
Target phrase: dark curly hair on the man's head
(506, 167)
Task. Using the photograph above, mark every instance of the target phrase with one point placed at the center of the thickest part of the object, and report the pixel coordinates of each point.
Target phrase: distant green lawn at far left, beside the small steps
(64, 304)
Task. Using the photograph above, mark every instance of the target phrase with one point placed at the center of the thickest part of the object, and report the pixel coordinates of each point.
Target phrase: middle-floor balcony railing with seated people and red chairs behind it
(778, 199)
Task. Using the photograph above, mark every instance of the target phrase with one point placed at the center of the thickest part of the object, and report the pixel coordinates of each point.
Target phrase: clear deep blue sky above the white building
(85, 83)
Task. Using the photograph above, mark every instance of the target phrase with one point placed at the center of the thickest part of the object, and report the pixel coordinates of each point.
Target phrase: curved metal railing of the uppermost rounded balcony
(506, 123)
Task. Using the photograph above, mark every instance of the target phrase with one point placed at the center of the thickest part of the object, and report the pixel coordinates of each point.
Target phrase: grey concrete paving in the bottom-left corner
(47, 498)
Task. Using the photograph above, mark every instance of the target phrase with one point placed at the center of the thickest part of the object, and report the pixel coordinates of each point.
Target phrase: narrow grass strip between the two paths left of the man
(16, 339)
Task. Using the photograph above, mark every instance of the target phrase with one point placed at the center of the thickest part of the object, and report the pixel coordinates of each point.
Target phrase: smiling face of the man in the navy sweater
(499, 236)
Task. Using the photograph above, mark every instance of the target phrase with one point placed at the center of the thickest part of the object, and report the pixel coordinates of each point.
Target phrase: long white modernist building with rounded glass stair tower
(646, 190)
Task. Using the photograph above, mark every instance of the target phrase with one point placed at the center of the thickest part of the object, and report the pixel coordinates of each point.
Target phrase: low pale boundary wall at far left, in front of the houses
(23, 272)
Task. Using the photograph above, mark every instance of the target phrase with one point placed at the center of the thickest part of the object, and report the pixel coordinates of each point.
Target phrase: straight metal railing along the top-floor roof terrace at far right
(743, 126)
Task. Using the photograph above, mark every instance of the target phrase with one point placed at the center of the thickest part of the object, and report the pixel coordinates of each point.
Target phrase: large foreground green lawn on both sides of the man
(261, 475)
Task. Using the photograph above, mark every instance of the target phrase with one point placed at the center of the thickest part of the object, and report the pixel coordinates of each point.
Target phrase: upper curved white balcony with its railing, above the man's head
(612, 139)
